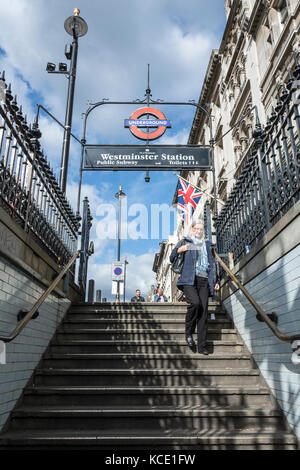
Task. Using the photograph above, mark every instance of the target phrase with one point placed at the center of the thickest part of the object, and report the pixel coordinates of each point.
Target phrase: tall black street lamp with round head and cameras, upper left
(76, 27)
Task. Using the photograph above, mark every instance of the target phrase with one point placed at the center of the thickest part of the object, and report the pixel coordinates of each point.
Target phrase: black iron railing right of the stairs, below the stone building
(268, 185)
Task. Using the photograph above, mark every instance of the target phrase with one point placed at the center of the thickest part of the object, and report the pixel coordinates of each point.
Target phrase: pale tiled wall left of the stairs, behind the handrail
(20, 291)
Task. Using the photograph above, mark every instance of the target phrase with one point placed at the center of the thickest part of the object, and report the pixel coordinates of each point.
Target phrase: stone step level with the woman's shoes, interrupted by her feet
(138, 346)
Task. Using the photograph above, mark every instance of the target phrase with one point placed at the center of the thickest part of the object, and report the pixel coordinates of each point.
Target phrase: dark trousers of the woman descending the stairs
(197, 299)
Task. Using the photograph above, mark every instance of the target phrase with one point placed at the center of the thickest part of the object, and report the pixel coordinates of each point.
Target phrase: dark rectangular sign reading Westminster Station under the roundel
(153, 157)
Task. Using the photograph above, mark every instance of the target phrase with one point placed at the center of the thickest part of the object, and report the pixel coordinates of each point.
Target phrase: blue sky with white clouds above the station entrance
(175, 37)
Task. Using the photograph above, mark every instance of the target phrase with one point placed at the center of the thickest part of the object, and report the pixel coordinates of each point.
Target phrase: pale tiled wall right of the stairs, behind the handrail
(276, 289)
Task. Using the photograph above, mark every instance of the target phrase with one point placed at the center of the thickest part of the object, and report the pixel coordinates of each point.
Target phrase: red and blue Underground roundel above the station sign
(136, 124)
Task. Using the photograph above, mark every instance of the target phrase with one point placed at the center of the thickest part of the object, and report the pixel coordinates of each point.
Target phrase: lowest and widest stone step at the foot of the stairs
(156, 442)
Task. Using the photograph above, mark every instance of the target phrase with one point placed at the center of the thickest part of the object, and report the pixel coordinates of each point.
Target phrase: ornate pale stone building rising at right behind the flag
(258, 51)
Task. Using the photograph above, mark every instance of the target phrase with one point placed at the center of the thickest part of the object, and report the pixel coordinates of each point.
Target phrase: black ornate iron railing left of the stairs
(29, 191)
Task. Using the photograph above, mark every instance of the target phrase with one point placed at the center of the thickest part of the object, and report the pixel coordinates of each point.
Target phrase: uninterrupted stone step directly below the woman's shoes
(148, 361)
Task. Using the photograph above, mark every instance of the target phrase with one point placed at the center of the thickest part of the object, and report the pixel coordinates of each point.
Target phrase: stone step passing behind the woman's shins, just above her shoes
(121, 334)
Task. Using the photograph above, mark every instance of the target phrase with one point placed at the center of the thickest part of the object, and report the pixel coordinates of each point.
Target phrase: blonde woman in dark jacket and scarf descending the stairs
(197, 283)
